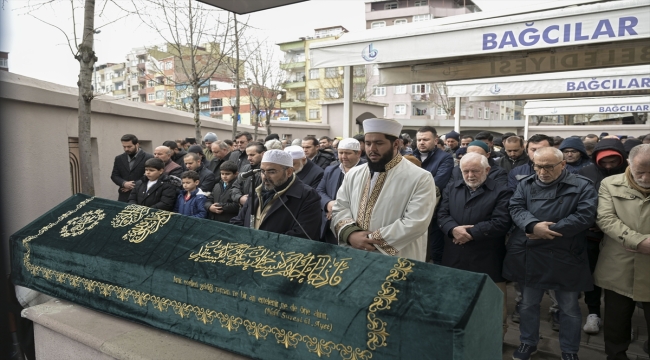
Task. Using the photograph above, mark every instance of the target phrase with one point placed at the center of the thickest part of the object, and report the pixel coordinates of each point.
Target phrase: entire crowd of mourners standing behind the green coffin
(556, 216)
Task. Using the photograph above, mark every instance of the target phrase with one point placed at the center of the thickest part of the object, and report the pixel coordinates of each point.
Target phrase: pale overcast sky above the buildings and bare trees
(38, 50)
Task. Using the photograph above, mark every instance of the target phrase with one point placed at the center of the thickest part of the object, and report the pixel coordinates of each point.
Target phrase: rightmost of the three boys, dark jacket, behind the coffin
(219, 203)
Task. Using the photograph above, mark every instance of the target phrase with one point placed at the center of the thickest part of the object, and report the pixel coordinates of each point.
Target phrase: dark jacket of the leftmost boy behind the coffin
(162, 195)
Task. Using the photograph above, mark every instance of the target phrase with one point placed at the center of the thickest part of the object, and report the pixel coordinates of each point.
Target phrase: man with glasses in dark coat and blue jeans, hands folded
(552, 211)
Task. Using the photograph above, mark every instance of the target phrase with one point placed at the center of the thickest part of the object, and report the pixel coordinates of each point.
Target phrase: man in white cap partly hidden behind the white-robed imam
(349, 151)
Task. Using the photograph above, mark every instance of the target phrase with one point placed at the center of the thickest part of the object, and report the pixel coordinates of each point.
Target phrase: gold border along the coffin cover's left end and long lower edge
(206, 316)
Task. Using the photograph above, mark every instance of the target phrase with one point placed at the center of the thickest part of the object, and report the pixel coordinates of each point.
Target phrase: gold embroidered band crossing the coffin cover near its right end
(377, 333)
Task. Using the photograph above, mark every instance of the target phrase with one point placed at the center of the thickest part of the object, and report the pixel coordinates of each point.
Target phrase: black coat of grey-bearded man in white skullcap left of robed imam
(303, 202)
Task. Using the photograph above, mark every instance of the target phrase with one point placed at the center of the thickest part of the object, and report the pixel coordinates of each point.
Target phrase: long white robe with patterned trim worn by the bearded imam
(397, 210)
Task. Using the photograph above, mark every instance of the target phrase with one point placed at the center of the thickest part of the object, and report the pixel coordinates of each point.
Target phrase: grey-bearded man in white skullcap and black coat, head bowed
(282, 204)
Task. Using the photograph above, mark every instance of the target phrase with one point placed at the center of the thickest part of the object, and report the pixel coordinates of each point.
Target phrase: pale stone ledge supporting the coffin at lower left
(94, 332)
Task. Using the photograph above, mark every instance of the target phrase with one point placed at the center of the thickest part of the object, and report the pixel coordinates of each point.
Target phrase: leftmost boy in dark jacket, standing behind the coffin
(155, 190)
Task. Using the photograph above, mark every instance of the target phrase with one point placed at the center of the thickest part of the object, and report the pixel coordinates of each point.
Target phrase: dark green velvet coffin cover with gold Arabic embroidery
(255, 293)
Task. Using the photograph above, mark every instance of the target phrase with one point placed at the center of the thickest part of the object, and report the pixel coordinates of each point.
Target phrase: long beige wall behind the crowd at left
(39, 117)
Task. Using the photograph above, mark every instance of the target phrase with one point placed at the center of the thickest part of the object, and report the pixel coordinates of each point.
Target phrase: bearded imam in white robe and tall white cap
(385, 205)
